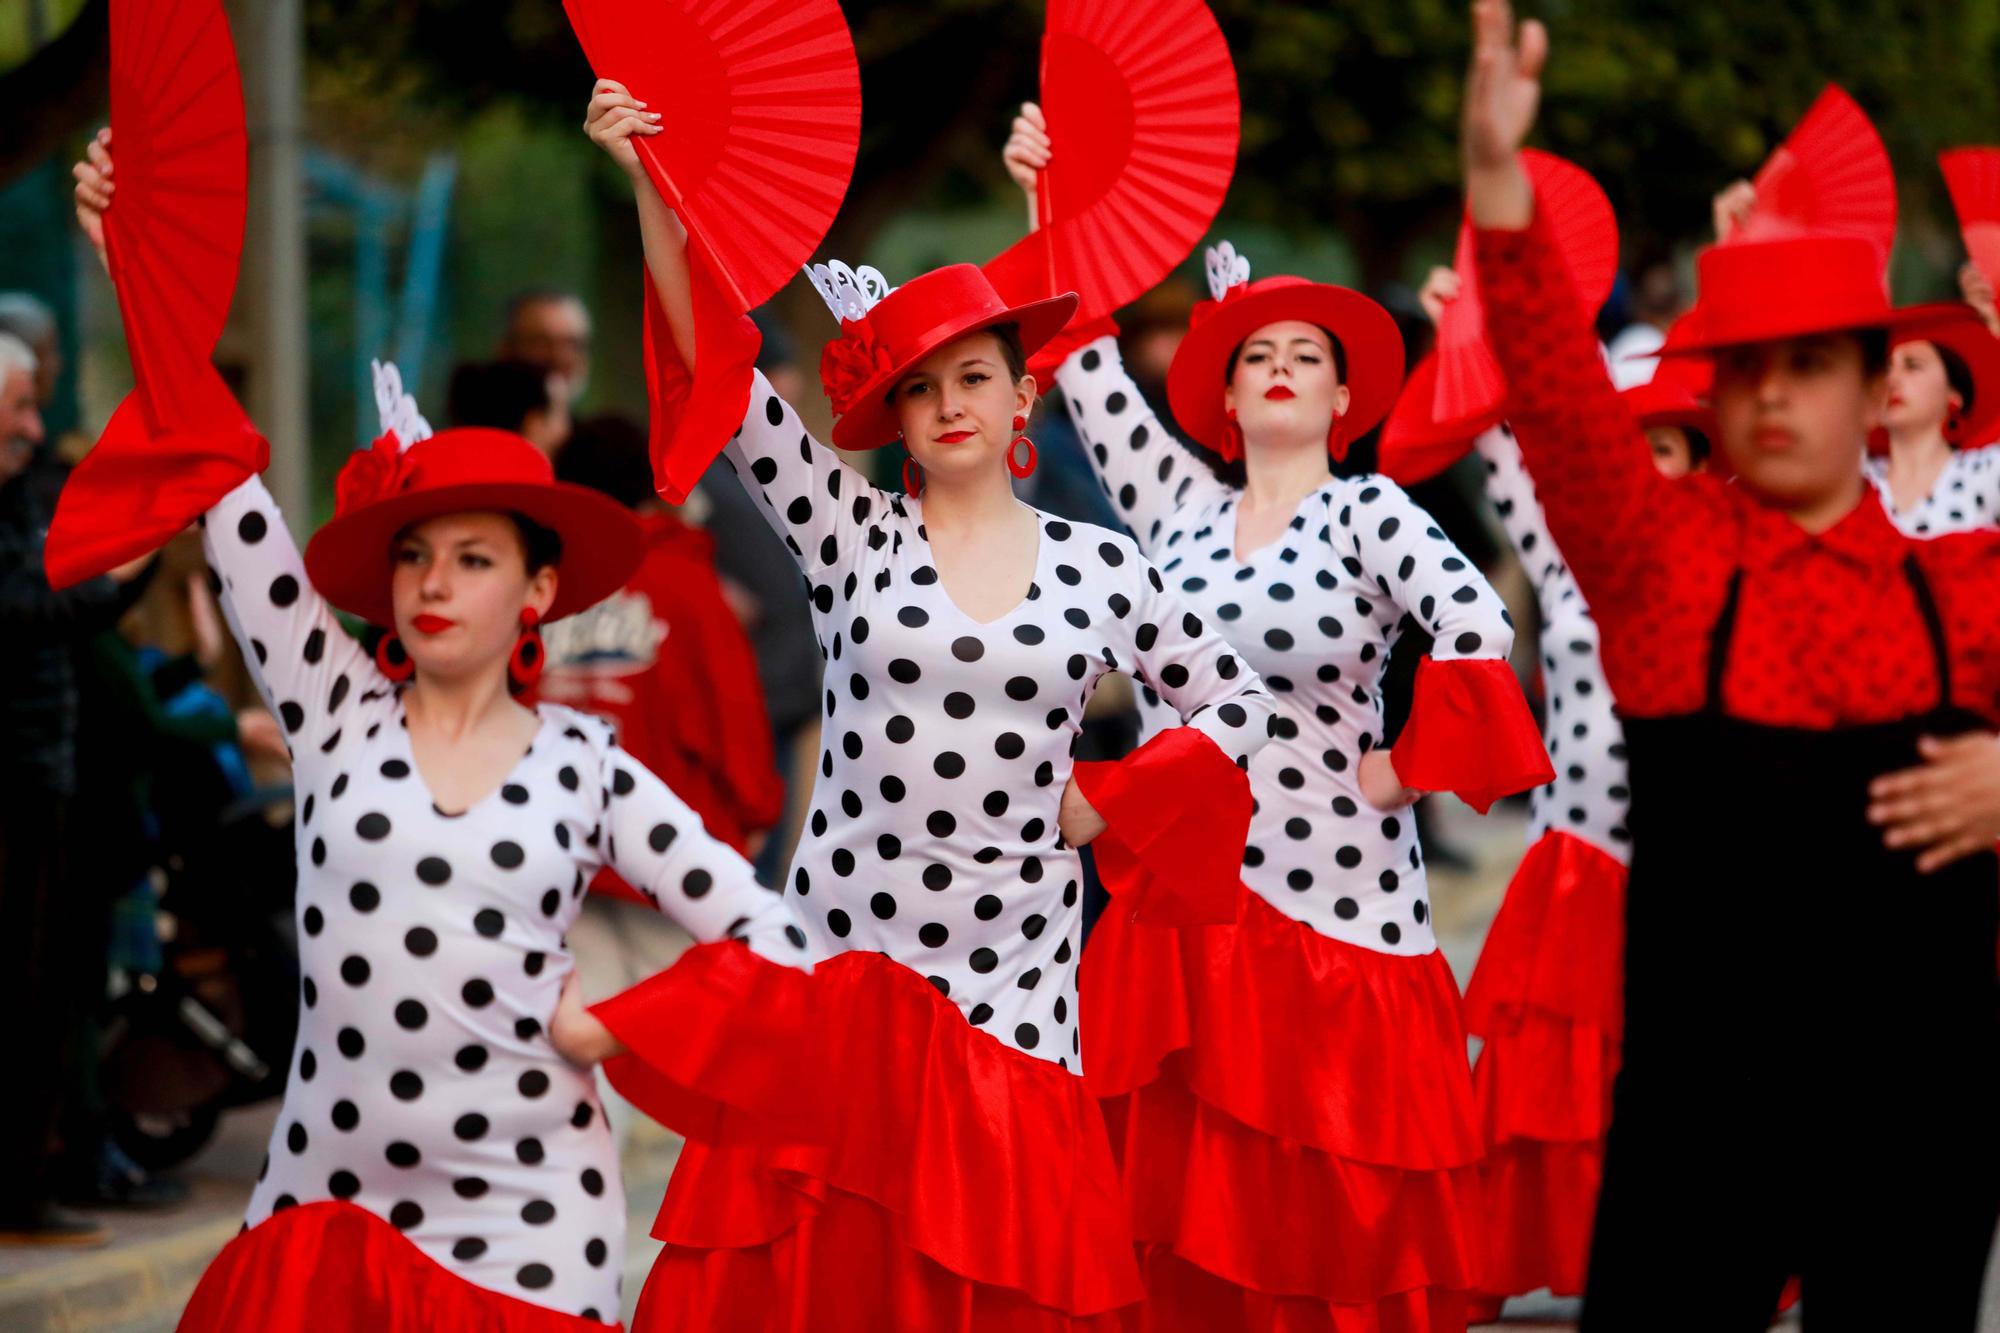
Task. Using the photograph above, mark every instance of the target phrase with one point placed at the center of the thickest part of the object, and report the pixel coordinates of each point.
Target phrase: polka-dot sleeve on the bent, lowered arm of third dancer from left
(1387, 539)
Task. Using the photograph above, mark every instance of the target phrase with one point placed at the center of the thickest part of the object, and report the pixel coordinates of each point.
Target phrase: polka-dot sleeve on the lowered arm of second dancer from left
(1189, 665)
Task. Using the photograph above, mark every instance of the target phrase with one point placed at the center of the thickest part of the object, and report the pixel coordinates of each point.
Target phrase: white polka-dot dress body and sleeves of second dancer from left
(949, 742)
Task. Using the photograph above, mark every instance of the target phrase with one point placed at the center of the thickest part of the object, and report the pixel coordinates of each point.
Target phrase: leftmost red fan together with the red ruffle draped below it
(175, 243)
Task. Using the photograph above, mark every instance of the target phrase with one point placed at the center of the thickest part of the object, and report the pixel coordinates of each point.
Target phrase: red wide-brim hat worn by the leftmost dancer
(385, 489)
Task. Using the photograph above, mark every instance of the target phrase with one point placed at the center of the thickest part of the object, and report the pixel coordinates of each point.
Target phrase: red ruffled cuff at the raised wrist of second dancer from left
(697, 413)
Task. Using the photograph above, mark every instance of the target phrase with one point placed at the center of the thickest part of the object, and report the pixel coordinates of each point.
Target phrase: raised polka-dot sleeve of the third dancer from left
(1145, 471)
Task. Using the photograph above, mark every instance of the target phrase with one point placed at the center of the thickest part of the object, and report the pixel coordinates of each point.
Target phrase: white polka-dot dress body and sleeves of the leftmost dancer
(425, 1088)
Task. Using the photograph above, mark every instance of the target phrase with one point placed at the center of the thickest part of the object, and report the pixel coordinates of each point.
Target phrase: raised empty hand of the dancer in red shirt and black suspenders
(1503, 97)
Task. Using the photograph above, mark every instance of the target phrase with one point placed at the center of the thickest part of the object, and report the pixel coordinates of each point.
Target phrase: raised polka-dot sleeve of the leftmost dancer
(305, 663)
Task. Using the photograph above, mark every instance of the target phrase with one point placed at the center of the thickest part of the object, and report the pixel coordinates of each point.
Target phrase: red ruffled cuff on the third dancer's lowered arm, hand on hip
(1471, 734)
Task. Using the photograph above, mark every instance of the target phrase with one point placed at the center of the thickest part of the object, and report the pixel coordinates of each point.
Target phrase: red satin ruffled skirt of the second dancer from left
(953, 1184)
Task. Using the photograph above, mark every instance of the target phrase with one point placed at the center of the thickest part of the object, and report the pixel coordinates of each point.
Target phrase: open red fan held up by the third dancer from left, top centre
(1143, 123)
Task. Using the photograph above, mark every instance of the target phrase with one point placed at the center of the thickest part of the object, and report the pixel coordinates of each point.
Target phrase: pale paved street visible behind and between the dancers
(139, 1284)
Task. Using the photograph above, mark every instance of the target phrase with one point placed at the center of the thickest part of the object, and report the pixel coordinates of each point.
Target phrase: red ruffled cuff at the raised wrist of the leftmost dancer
(137, 489)
